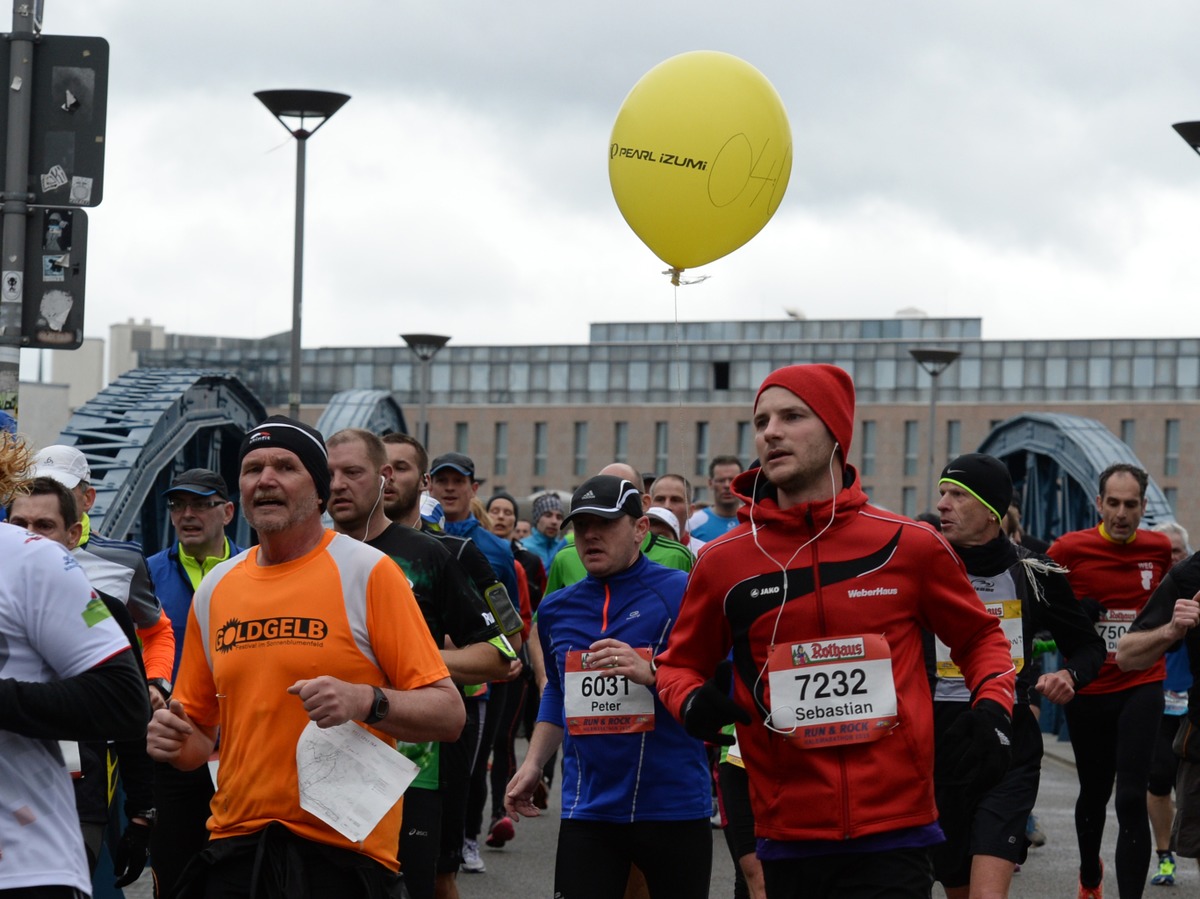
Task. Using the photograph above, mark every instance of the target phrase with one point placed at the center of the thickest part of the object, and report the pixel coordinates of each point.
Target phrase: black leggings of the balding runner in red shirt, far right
(1113, 736)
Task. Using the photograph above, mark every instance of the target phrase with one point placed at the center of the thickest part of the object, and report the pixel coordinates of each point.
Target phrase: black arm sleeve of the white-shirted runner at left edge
(106, 703)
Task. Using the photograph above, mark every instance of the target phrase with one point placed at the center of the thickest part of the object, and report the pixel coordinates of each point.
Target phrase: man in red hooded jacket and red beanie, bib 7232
(823, 600)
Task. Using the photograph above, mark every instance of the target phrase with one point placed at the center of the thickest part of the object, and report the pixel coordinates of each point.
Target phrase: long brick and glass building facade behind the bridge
(667, 397)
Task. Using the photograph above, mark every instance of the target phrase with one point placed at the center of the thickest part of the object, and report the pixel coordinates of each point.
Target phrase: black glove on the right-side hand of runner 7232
(975, 753)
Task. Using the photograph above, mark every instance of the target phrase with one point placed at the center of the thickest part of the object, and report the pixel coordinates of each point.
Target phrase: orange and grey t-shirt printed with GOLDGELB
(344, 610)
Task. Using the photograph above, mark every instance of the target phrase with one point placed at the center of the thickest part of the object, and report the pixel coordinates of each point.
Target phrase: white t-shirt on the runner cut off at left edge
(52, 627)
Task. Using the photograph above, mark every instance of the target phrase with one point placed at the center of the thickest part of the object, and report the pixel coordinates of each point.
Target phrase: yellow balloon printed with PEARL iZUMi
(700, 157)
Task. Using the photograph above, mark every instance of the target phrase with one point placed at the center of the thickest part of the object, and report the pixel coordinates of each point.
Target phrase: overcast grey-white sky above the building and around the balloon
(1012, 161)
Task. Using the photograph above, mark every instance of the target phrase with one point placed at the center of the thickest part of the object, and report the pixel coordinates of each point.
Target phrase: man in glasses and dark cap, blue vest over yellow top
(199, 502)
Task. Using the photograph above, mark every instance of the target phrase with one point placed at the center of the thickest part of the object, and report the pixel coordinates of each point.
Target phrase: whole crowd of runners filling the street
(853, 696)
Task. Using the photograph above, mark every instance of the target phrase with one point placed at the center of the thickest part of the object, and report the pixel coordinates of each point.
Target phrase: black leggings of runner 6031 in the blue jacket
(593, 859)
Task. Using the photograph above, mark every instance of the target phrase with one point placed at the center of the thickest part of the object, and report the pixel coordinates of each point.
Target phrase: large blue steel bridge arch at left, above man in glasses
(148, 427)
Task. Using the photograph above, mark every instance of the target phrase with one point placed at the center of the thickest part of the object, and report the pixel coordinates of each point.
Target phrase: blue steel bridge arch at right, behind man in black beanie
(1057, 462)
